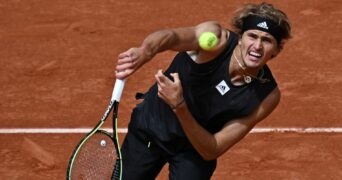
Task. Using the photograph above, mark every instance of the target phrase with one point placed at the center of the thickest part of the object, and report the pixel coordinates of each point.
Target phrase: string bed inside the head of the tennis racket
(96, 158)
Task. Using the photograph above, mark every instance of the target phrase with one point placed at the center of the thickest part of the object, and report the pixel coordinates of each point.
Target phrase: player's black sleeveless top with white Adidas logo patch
(207, 89)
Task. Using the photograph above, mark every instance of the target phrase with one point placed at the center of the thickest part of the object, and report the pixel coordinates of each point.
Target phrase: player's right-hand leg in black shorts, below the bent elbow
(190, 165)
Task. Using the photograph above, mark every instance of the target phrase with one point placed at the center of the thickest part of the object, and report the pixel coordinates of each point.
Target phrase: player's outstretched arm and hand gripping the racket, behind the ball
(178, 39)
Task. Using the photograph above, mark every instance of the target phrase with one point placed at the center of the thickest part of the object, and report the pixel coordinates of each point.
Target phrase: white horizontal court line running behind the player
(124, 130)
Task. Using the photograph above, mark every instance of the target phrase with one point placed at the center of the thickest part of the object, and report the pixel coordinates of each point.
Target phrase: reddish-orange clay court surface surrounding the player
(57, 62)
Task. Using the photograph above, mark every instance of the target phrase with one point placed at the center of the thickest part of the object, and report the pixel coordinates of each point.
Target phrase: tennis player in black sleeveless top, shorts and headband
(205, 101)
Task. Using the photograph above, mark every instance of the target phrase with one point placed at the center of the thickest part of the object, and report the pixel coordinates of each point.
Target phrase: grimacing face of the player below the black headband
(257, 47)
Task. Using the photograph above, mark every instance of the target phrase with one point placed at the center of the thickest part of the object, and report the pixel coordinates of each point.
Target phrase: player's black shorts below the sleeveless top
(144, 158)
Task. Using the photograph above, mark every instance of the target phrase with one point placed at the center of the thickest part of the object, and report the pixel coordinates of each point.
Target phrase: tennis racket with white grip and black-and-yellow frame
(98, 155)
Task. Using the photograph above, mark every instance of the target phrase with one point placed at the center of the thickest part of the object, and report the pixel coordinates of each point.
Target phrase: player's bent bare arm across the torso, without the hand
(211, 146)
